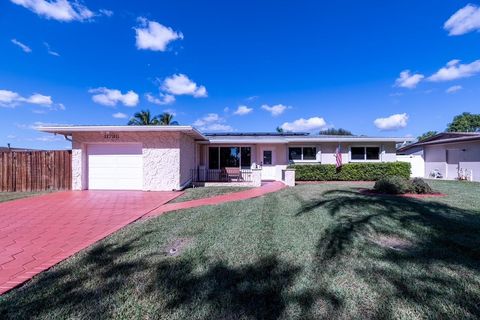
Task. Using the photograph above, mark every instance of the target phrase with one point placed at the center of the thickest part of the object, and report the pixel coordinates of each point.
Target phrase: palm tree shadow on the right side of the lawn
(429, 277)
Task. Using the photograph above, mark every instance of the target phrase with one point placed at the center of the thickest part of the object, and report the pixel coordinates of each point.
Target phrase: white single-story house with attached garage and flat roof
(171, 157)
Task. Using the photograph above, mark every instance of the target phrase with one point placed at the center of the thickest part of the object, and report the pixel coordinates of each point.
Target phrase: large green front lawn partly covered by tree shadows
(313, 251)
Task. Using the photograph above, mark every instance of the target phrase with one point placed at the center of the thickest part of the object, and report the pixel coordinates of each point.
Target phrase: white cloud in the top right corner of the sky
(463, 21)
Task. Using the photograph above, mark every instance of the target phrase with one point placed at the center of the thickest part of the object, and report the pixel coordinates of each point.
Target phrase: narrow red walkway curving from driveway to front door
(266, 188)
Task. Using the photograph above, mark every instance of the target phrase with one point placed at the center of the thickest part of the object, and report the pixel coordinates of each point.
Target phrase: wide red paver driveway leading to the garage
(38, 232)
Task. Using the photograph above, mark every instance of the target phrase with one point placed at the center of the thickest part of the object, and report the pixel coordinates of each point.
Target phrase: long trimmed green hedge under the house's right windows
(351, 171)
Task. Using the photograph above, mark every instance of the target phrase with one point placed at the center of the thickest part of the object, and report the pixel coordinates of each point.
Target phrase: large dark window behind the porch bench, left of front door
(222, 157)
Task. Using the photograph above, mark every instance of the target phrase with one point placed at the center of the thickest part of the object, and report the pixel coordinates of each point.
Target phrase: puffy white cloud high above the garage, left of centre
(151, 35)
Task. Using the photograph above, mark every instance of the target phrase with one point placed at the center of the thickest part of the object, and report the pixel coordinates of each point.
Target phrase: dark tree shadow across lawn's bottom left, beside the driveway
(108, 282)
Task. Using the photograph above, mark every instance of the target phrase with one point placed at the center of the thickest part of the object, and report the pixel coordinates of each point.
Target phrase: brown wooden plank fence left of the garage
(35, 171)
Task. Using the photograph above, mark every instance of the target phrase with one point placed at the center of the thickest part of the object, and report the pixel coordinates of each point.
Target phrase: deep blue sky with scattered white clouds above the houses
(380, 68)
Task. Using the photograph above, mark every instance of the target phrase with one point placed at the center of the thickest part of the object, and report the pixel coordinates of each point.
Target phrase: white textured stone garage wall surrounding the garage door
(161, 157)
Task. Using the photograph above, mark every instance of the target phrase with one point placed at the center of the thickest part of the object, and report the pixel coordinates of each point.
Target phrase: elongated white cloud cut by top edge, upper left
(61, 10)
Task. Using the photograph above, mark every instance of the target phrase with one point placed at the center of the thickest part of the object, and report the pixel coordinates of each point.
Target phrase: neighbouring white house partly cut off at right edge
(448, 155)
